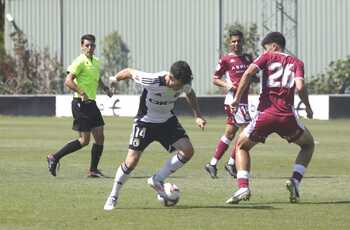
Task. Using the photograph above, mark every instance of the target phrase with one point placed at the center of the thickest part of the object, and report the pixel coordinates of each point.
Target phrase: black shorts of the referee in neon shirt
(86, 115)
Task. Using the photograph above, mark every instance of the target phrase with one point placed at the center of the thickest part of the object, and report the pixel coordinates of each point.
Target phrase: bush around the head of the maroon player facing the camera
(251, 38)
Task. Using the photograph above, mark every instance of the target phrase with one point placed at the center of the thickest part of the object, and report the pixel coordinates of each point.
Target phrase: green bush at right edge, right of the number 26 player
(336, 80)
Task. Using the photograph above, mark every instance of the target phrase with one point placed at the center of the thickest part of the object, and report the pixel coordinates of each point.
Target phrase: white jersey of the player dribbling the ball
(157, 100)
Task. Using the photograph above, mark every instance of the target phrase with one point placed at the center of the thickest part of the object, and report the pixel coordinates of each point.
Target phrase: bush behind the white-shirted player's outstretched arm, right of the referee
(115, 56)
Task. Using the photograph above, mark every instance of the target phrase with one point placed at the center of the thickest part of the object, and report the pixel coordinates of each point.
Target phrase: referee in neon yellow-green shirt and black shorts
(83, 78)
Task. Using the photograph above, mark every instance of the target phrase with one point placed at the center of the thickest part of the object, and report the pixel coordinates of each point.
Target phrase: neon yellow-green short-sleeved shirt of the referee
(87, 74)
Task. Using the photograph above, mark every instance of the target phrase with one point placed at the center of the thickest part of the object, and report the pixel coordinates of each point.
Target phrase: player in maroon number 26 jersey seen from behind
(282, 74)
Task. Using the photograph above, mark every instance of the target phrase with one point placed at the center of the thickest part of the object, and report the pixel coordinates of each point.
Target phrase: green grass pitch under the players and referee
(31, 199)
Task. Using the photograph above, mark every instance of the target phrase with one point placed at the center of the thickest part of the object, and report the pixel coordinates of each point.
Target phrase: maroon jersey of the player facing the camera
(233, 66)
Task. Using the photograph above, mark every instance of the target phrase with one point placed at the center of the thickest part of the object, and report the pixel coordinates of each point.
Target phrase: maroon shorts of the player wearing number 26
(288, 127)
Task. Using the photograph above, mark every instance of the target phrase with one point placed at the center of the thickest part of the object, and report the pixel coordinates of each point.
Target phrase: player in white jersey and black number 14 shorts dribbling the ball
(155, 121)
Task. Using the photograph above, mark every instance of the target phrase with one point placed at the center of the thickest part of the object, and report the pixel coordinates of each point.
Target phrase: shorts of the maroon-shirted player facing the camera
(240, 117)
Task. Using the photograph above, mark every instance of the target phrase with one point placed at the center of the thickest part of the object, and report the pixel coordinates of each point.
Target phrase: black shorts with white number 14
(166, 134)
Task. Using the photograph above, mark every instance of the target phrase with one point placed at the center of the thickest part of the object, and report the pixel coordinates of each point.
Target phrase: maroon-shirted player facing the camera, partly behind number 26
(233, 65)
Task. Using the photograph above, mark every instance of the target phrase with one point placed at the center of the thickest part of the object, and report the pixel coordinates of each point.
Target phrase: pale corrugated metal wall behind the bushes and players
(158, 32)
